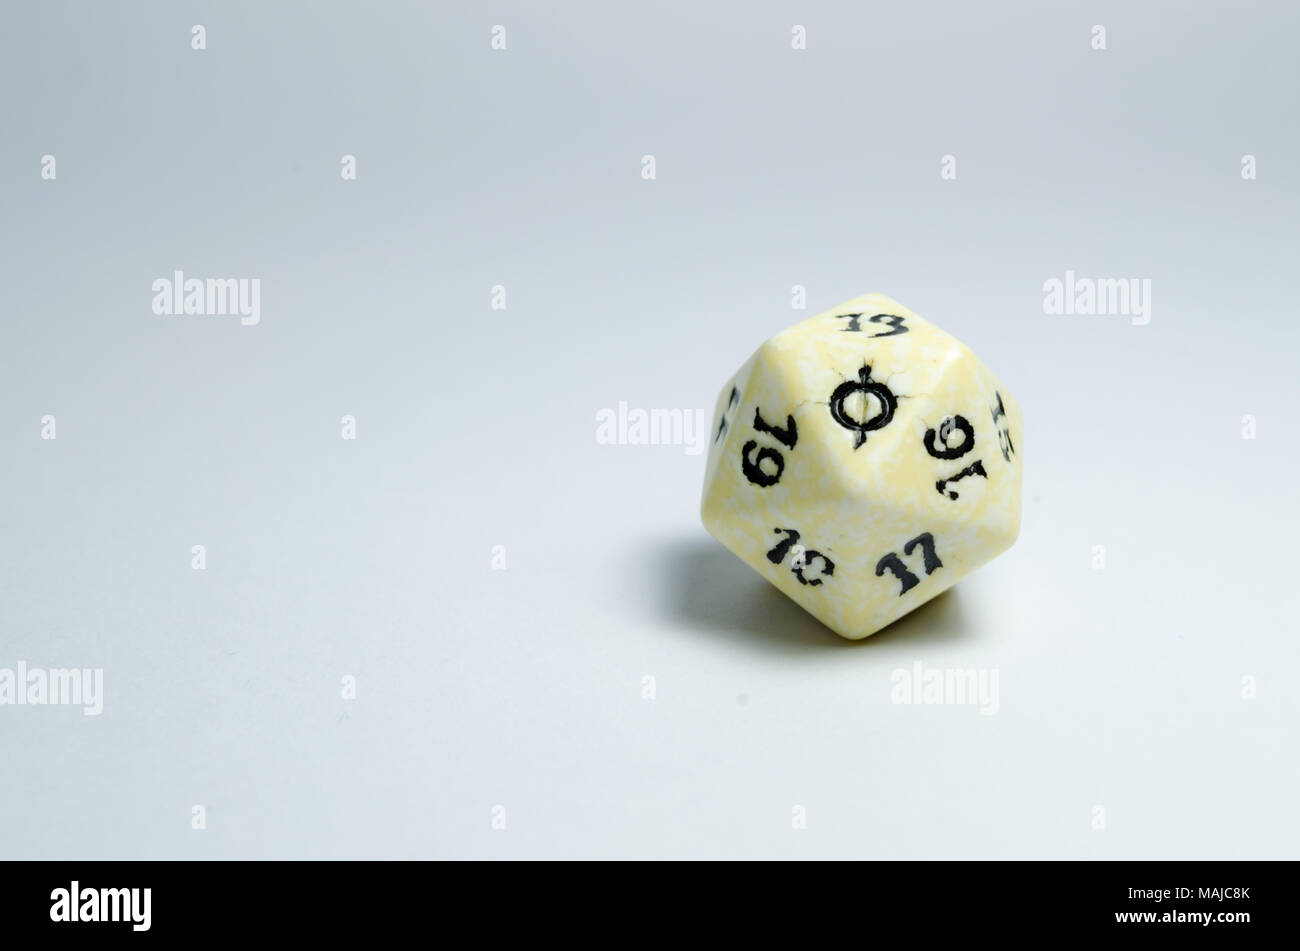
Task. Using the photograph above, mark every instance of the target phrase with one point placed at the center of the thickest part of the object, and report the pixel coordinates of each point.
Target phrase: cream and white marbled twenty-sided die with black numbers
(864, 462)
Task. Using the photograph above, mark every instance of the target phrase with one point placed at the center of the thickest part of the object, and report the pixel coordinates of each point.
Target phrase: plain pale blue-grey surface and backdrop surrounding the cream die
(522, 688)
